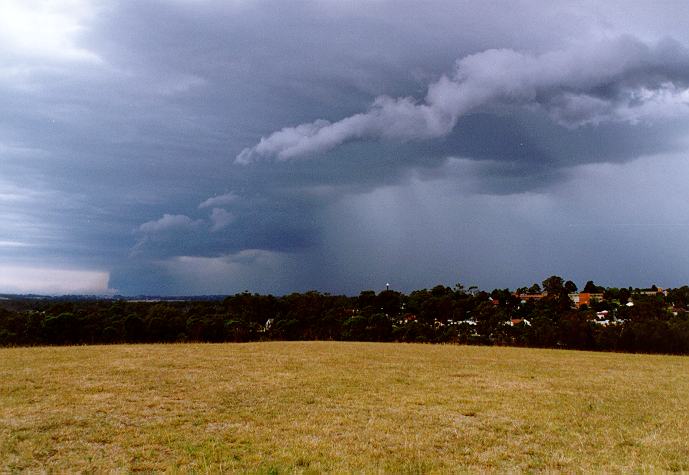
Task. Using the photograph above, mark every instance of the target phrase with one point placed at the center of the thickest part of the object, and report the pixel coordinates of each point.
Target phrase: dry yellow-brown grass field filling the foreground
(320, 406)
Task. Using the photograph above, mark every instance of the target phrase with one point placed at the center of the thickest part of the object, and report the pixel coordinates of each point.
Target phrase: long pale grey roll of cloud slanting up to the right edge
(620, 79)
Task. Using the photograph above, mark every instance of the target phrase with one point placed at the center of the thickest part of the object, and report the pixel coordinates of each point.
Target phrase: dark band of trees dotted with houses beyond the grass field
(657, 323)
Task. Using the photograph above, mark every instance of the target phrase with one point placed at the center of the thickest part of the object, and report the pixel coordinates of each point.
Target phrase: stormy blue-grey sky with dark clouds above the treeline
(180, 147)
